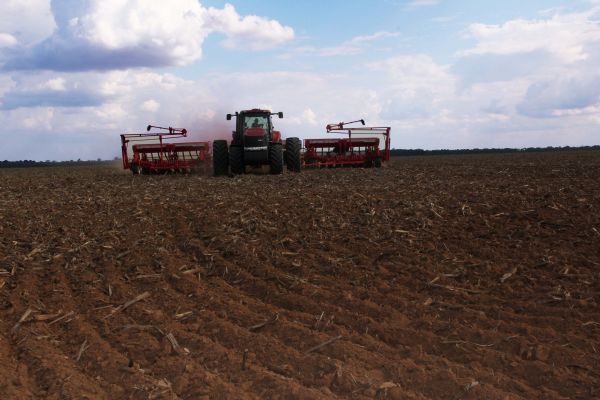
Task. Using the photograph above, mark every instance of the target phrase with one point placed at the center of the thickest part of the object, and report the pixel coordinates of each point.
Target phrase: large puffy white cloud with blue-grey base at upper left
(112, 34)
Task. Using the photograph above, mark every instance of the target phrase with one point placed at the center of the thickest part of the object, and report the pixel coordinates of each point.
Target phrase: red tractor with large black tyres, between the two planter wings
(255, 142)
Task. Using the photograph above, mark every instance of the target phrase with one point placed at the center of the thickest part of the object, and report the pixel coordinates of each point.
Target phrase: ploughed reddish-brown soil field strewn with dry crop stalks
(455, 277)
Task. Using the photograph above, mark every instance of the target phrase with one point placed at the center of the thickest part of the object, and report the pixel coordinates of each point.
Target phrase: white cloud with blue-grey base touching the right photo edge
(552, 60)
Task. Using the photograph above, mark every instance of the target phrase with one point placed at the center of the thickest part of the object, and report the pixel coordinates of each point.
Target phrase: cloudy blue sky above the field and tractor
(443, 74)
